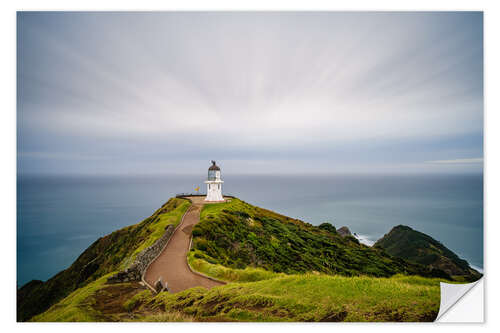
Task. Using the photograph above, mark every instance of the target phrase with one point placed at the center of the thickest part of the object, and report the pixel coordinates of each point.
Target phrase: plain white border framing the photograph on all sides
(8, 136)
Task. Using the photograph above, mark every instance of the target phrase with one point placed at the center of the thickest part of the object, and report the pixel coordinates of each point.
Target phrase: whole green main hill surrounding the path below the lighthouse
(277, 268)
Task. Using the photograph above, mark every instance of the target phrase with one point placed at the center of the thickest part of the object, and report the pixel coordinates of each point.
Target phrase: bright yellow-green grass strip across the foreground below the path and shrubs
(298, 297)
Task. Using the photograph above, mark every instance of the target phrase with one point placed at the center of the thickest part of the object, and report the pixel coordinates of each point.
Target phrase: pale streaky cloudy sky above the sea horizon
(260, 92)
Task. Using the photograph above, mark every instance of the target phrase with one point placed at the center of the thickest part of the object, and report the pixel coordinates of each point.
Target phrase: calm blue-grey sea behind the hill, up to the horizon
(59, 217)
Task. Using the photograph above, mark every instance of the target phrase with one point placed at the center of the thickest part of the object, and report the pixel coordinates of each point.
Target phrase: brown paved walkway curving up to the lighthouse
(171, 265)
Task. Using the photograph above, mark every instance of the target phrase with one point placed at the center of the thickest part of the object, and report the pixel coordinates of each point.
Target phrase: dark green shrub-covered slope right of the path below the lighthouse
(239, 235)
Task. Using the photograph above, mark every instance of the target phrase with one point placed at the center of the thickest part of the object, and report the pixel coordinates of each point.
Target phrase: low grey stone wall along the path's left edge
(135, 271)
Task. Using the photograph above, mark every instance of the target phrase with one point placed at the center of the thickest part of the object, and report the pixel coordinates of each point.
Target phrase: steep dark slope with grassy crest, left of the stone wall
(107, 254)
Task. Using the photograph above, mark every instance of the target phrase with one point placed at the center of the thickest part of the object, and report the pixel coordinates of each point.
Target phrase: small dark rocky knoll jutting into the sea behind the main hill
(404, 242)
